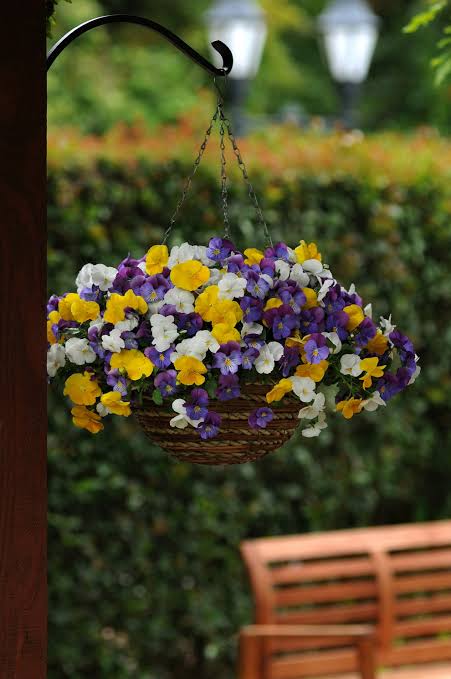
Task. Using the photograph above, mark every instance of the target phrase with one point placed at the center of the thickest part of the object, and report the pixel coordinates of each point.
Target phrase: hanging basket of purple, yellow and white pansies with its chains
(220, 354)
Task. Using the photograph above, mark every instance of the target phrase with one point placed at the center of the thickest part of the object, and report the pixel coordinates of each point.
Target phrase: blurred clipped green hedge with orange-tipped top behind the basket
(145, 576)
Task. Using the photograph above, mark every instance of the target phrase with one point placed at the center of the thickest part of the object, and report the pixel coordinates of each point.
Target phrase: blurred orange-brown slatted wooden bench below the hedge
(343, 603)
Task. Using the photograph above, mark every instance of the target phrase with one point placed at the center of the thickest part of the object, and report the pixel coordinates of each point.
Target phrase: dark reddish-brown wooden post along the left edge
(23, 593)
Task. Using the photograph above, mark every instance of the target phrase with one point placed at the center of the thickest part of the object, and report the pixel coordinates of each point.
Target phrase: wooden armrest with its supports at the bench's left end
(253, 636)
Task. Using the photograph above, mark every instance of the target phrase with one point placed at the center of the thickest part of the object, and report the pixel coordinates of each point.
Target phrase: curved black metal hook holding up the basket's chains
(220, 47)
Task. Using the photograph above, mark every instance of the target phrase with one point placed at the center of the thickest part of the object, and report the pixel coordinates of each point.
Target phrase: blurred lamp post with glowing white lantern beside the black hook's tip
(241, 25)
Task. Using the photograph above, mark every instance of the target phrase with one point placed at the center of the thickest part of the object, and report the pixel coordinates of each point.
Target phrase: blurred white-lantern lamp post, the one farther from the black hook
(349, 30)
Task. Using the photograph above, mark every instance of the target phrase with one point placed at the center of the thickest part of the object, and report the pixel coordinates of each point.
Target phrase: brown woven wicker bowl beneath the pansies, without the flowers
(236, 442)
